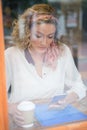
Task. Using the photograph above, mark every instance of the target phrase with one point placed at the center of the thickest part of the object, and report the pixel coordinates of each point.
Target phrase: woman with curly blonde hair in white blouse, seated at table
(39, 66)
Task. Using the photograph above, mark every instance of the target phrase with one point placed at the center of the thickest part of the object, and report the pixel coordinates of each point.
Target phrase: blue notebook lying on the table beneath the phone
(52, 117)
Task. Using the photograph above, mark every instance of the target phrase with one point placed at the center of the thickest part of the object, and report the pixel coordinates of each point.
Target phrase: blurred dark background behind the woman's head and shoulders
(72, 25)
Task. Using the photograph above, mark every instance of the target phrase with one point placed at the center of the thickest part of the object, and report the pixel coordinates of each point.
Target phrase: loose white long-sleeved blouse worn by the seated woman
(26, 84)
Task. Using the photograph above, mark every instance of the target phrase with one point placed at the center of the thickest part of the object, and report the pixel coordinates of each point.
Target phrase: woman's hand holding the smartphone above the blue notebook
(61, 104)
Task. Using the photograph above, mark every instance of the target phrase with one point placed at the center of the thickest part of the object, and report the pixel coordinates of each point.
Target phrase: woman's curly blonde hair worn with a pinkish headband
(22, 26)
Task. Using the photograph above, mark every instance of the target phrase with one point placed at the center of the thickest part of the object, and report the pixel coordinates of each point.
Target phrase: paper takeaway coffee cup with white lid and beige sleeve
(27, 108)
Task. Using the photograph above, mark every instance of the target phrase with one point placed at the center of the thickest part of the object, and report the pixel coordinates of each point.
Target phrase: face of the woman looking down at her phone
(42, 36)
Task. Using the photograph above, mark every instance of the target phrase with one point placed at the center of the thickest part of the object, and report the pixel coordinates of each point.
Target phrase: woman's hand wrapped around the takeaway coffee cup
(15, 114)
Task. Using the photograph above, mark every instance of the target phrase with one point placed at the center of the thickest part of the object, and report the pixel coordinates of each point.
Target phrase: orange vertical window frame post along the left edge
(3, 95)
